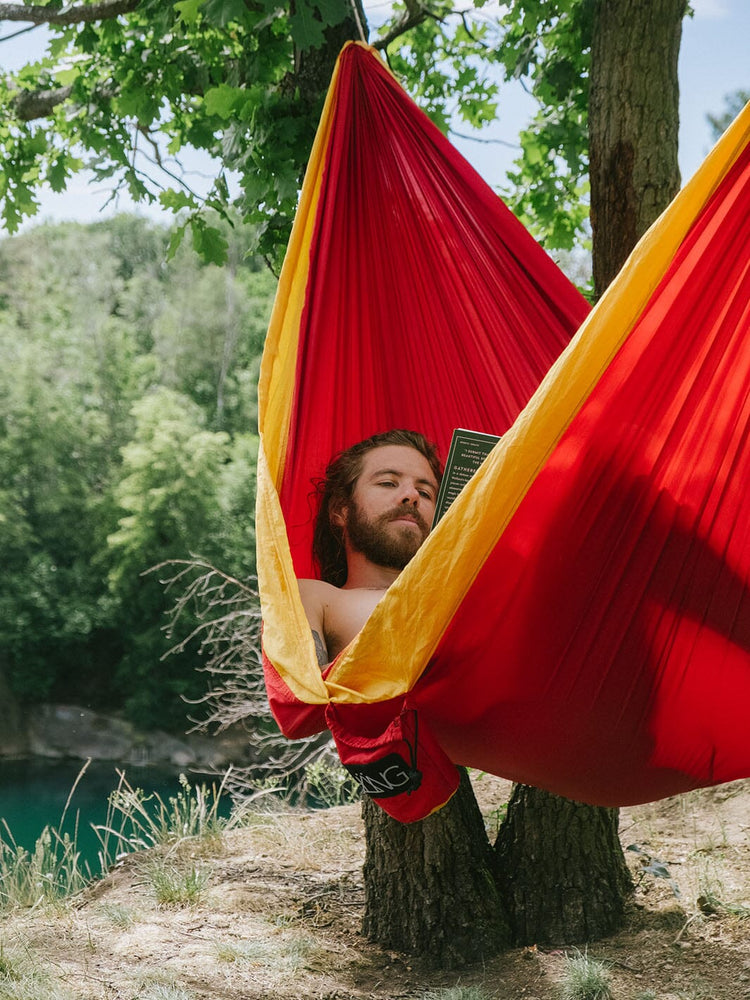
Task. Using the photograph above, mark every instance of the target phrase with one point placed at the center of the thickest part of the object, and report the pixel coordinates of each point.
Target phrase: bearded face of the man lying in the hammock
(392, 505)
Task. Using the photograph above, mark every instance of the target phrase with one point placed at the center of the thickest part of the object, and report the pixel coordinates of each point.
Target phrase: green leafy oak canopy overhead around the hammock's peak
(125, 87)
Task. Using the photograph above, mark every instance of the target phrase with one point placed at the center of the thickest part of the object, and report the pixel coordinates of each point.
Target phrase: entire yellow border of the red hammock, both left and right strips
(390, 653)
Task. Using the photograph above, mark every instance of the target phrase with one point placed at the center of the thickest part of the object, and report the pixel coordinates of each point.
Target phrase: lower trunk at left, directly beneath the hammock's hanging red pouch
(429, 886)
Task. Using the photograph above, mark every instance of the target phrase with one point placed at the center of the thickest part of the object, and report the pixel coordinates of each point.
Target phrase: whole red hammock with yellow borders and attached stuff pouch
(580, 618)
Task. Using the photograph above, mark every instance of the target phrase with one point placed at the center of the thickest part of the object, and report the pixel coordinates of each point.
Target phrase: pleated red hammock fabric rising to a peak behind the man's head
(429, 306)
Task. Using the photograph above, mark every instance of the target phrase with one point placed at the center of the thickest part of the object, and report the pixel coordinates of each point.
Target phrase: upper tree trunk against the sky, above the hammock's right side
(633, 124)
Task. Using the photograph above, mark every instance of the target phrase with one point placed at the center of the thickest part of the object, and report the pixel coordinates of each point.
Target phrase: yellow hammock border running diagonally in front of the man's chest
(407, 625)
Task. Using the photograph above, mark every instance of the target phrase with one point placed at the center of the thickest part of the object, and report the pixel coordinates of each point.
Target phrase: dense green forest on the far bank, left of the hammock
(112, 457)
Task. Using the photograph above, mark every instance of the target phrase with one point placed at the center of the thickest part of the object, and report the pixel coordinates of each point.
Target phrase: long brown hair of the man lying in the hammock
(337, 488)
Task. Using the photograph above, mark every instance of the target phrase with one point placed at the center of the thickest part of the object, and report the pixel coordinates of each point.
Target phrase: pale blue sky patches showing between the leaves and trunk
(714, 62)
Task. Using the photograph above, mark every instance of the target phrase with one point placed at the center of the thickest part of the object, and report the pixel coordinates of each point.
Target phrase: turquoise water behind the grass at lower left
(33, 794)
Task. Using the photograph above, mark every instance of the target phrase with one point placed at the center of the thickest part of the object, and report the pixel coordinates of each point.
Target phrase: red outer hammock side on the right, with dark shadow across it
(620, 663)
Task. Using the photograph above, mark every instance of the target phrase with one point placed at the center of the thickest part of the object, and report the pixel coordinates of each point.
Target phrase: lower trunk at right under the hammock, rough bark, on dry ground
(560, 869)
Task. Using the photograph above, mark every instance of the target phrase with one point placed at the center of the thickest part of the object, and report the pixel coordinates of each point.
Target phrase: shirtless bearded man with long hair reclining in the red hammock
(377, 502)
